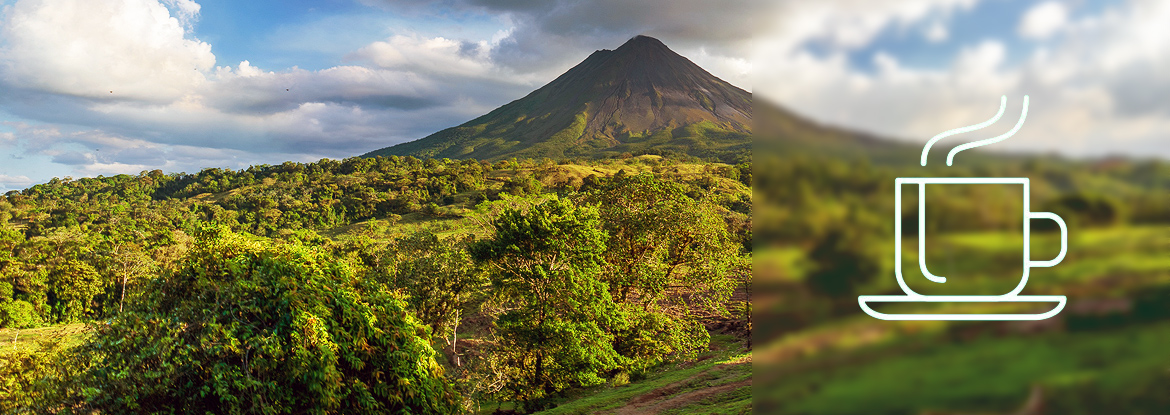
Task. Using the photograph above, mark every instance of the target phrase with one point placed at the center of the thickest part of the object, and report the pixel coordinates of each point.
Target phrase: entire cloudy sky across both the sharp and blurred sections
(100, 88)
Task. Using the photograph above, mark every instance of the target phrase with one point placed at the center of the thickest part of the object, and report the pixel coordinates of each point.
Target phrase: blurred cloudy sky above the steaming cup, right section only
(1097, 73)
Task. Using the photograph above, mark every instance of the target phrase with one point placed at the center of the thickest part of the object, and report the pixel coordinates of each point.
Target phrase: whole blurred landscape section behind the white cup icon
(848, 93)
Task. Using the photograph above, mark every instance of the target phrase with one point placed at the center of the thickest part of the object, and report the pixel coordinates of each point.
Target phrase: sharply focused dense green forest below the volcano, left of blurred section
(387, 285)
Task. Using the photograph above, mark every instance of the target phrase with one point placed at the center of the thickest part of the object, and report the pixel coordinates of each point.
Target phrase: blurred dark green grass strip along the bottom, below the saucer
(988, 375)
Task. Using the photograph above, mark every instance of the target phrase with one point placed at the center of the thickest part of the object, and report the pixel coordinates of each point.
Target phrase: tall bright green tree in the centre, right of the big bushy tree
(553, 333)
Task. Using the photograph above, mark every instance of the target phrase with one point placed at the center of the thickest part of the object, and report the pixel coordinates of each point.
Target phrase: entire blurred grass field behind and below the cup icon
(1110, 344)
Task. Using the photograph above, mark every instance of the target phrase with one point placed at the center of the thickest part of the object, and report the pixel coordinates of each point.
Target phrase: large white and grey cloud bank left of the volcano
(61, 60)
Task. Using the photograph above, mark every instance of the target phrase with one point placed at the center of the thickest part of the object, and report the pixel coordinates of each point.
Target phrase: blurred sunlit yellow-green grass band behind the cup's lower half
(1102, 264)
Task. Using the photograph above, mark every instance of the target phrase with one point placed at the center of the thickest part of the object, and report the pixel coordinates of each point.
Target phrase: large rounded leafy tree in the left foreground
(250, 327)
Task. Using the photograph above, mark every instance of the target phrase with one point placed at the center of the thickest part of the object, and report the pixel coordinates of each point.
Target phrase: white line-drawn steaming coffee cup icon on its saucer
(911, 296)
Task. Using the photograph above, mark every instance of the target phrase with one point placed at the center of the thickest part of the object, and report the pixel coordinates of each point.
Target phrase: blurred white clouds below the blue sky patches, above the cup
(1097, 89)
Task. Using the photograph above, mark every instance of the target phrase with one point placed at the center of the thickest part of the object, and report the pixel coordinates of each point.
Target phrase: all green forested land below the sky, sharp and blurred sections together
(398, 285)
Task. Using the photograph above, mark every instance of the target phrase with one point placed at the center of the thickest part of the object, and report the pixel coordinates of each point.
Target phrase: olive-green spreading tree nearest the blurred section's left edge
(671, 261)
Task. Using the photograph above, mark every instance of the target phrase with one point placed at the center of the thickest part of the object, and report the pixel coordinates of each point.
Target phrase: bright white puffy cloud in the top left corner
(130, 50)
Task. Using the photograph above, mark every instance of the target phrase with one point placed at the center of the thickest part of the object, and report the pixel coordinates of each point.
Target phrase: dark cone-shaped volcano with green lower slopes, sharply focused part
(642, 99)
